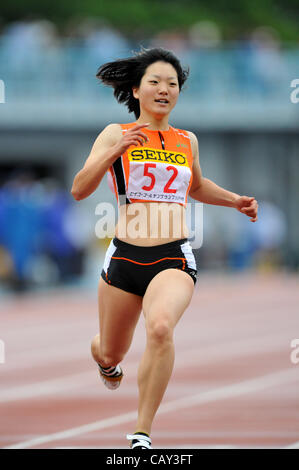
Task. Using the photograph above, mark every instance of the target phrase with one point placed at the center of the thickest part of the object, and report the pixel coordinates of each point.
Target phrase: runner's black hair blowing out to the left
(124, 74)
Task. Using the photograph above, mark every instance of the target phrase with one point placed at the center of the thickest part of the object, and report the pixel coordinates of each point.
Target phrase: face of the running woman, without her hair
(159, 89)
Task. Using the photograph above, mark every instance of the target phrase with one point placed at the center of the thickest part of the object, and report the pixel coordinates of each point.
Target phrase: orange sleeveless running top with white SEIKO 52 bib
(160, 170)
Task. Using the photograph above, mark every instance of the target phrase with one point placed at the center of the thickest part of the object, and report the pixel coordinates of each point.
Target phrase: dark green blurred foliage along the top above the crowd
(146, 17)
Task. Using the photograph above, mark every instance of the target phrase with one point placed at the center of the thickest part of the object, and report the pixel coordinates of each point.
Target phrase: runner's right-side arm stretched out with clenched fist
(208, 192)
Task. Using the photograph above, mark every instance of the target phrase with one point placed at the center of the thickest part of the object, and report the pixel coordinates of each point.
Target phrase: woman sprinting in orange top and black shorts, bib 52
(152, 164)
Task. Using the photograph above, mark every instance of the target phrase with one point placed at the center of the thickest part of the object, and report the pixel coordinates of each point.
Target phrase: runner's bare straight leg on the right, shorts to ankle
(166, 298)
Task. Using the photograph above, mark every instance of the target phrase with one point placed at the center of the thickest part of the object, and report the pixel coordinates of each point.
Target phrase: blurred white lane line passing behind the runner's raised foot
(198, 356)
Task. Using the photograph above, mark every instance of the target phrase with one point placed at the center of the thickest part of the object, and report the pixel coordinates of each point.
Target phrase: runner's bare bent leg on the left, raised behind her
(119, 312)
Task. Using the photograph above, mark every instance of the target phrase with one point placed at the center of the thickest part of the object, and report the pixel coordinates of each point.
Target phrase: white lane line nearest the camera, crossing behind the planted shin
(230, 391)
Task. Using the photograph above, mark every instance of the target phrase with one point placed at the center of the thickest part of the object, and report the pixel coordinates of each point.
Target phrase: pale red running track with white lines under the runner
(234, 384)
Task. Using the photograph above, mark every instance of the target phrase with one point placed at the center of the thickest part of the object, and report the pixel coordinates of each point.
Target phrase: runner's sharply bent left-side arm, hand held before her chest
(108, 146)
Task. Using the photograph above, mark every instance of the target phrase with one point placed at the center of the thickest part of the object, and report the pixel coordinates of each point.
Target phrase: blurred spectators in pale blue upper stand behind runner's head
(256, 62)
